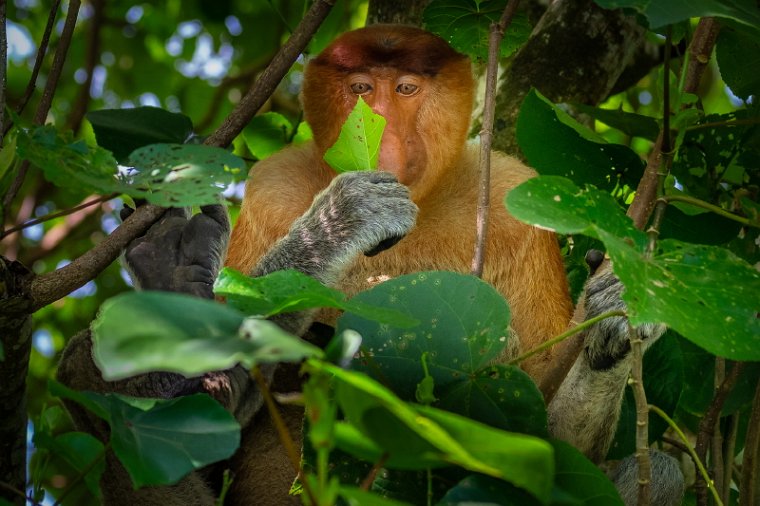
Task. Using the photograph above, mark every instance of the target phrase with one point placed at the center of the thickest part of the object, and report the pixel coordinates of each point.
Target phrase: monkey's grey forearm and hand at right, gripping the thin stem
(586, 407)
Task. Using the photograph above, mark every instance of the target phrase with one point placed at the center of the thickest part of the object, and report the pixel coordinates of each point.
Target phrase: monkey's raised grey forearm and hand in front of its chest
(360, 212)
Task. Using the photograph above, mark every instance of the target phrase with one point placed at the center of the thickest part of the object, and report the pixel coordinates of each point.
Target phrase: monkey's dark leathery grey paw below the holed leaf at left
(179, 253)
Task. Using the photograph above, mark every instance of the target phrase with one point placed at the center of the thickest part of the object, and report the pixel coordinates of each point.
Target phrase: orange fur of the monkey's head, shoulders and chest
(522, 262)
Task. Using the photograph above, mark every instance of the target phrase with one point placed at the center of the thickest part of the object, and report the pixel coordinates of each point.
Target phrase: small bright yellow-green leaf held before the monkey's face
(358, 145)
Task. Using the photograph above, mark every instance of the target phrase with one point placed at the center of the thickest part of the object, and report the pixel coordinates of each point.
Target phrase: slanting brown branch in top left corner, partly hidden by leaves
(49, 92)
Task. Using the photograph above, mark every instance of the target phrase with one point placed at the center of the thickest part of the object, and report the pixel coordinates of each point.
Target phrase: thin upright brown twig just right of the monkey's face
(486, 134)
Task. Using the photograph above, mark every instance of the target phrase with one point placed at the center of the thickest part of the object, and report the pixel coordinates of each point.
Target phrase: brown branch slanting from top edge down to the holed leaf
(271, 77)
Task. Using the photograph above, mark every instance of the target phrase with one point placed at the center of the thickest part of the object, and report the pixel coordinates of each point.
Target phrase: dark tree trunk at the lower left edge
(15, 332)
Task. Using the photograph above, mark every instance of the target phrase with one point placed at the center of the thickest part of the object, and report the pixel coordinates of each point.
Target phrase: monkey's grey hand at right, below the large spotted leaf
(607, 342)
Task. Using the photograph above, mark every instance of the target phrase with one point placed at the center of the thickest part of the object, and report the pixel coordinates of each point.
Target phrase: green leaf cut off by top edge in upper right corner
(666, 12)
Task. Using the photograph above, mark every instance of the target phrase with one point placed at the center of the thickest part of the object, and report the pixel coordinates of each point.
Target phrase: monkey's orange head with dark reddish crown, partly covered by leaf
(413, 78)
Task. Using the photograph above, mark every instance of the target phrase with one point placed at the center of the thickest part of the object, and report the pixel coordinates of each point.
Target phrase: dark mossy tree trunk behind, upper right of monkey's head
(576, 53)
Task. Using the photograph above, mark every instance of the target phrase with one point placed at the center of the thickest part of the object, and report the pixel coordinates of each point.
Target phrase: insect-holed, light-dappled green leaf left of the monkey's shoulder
(182, 174)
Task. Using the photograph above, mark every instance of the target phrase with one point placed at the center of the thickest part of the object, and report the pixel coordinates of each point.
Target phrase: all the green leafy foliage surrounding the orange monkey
(414, 390)
